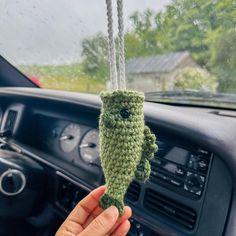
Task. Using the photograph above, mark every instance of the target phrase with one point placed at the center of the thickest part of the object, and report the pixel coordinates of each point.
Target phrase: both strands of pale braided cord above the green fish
(118, 82)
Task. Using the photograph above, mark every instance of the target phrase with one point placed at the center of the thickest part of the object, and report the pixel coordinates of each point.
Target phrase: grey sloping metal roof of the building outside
(160, 63)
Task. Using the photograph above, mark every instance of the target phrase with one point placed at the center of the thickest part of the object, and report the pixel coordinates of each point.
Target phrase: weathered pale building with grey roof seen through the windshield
(158, 72)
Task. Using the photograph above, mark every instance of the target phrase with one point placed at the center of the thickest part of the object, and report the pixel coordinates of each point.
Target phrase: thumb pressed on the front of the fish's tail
(103, 223)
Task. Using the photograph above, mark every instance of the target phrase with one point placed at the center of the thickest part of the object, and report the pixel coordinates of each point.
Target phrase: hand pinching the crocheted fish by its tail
(88, 218)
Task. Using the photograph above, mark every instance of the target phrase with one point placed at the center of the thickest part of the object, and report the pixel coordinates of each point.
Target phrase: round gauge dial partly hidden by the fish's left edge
(89, 146)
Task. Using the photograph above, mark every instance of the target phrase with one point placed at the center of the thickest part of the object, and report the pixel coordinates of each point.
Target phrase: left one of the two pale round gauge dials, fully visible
(69, 138)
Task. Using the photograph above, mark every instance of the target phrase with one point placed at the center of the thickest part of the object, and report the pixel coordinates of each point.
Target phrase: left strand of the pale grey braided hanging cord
(111, 46)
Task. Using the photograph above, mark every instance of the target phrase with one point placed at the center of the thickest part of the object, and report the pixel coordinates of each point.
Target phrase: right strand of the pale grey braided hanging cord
(121, 66)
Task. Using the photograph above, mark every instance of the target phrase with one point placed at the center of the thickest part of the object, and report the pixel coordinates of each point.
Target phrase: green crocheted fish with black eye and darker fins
(127, 144)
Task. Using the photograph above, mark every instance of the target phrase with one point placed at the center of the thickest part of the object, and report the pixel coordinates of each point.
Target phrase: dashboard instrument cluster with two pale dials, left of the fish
(74, 142)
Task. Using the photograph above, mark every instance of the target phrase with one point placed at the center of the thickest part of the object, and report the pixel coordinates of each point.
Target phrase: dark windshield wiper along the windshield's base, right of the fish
(193, 97)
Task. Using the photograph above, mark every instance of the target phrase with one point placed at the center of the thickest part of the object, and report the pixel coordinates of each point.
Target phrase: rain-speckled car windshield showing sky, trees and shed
(170, 46)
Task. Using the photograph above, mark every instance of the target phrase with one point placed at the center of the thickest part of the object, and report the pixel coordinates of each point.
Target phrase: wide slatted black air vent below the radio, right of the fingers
(169, 209)
